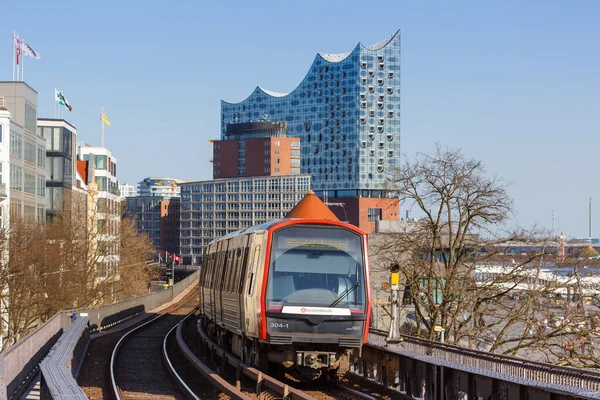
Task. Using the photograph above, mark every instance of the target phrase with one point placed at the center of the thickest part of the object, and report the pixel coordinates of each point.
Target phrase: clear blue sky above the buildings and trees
(514, 84)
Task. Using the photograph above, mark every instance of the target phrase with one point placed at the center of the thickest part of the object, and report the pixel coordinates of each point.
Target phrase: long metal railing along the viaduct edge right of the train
(531, 373)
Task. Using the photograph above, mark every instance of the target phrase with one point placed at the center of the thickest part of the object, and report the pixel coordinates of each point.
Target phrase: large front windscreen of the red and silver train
(316, 266)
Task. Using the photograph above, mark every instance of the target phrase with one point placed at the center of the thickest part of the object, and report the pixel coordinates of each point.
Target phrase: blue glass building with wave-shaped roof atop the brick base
(346, 112)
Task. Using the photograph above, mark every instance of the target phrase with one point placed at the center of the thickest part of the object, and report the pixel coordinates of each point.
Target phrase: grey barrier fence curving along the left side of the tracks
(19, 363)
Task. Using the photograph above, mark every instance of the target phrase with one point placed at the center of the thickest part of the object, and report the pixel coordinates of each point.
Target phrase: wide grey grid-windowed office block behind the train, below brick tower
(212, 209)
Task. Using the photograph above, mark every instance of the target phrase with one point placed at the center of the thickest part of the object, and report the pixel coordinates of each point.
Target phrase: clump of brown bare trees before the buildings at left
(77, 259)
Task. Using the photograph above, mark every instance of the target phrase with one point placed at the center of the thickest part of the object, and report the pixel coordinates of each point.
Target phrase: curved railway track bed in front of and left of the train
(158, 360)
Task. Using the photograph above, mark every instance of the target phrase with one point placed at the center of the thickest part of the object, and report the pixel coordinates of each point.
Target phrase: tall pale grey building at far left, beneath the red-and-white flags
(27, 160)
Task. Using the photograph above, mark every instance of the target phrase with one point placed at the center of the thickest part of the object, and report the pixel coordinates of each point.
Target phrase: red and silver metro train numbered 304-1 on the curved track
(290, 292)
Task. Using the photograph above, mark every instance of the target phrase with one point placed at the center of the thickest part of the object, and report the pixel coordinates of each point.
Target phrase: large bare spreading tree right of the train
(463, 270)
